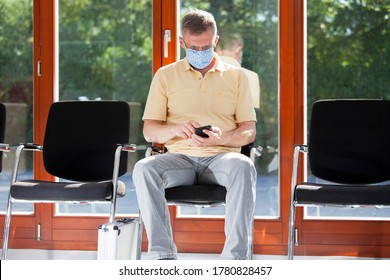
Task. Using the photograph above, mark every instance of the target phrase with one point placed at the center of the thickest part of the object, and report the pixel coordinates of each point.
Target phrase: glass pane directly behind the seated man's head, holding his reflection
(253, 25)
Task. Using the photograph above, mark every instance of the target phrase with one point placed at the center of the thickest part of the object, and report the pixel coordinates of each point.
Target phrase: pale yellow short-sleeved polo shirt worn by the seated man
(221, 98)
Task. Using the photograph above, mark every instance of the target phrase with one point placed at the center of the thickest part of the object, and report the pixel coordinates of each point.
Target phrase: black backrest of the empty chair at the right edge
(349, 141)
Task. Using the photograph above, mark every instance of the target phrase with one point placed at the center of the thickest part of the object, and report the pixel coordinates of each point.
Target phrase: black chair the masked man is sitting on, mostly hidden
(203, 196)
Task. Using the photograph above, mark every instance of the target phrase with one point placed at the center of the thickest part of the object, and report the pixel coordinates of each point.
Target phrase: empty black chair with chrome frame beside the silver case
(85, 144)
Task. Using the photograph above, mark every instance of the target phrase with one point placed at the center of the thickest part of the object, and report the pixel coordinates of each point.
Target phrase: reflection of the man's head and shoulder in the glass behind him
(230, 50)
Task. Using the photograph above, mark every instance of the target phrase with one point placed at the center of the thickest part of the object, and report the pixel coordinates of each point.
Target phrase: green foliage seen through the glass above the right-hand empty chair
(348, 49)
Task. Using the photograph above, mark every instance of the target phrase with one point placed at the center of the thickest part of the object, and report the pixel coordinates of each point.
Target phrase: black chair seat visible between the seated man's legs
(196, 194)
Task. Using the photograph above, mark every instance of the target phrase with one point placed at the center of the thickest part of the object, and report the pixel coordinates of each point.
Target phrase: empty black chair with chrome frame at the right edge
(349, 148)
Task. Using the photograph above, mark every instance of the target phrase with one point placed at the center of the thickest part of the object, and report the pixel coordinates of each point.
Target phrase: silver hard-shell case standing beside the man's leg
(120, 240)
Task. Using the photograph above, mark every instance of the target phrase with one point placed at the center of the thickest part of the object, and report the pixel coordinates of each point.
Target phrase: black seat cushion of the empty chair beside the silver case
(36, 190)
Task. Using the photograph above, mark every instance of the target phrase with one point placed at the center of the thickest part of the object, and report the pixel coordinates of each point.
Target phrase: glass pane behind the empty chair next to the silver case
(105, 53)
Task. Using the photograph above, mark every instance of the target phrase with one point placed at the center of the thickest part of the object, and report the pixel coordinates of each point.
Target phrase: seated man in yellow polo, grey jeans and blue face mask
(195, 91)
